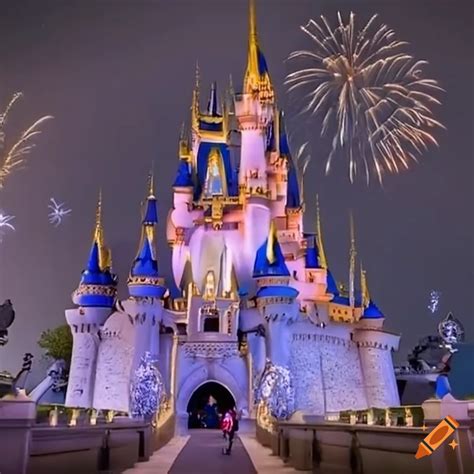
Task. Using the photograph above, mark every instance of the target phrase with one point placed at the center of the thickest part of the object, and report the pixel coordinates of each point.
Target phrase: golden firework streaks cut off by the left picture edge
(13, 156)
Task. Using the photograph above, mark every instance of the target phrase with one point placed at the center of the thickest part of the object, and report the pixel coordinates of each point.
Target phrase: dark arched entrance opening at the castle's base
(202, 413)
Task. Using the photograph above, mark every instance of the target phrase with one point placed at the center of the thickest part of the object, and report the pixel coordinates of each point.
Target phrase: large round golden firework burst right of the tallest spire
(370, 94)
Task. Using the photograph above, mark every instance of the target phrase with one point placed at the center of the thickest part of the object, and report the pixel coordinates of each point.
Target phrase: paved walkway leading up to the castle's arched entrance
(201, 453)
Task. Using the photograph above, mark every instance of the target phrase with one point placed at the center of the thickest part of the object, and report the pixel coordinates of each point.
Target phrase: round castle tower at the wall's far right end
(375, 349)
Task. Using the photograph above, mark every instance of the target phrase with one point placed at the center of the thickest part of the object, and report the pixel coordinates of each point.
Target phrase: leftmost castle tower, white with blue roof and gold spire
(95, 296)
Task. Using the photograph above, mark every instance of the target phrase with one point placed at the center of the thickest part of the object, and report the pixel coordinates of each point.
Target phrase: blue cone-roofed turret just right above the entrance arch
(276, 300)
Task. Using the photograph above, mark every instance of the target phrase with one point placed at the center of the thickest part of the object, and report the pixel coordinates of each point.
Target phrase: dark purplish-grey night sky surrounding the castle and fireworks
(118, 76)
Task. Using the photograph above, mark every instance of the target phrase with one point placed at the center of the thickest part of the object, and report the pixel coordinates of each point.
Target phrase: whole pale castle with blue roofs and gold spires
(258, 310)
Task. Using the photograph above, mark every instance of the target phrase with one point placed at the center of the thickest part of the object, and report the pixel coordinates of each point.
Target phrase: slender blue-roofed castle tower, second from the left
(145, 286)
